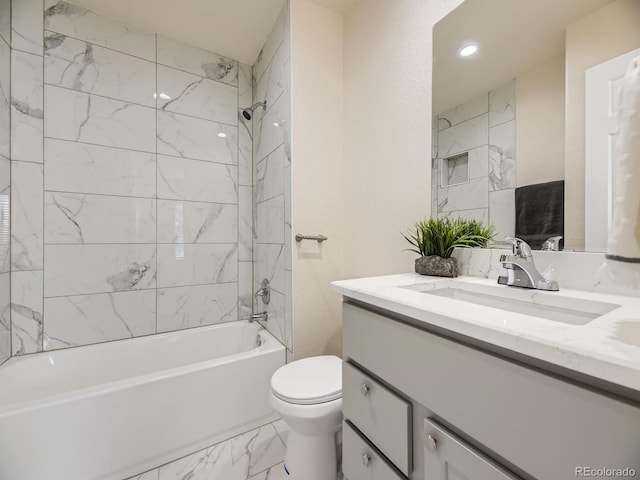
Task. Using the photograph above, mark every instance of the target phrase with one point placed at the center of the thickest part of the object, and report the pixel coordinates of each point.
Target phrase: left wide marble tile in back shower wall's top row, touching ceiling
(78, 22)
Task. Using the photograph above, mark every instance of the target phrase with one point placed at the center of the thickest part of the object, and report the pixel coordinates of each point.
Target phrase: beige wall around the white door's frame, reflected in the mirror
(610, 32)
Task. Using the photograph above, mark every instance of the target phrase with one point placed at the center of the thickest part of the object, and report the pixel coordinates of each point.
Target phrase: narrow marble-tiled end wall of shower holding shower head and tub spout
(272, 177)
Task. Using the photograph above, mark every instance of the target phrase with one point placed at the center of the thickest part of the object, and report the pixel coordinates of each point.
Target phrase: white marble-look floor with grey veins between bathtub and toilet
(254, 455)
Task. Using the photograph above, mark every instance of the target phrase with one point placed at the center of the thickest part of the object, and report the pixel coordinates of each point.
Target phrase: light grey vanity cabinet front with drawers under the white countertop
(474, 415)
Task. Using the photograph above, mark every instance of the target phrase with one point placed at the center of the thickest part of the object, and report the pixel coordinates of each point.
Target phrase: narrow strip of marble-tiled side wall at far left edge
(5, 180)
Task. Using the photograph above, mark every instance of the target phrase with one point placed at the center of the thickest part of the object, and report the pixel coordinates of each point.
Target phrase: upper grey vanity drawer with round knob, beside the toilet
(380, 414)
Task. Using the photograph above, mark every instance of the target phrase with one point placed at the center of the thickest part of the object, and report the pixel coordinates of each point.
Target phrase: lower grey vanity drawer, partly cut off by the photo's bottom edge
(360, 461)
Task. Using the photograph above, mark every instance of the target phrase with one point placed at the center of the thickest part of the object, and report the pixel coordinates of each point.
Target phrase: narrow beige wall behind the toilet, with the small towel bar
(317, 179)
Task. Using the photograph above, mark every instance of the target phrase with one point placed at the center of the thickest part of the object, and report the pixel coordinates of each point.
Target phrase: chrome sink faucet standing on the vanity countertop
(521, 270)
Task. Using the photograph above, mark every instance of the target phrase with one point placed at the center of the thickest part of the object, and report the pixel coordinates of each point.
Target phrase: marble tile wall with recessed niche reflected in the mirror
(484, 128)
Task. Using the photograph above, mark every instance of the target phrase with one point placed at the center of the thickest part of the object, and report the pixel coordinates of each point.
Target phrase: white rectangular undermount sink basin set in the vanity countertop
(548, 305)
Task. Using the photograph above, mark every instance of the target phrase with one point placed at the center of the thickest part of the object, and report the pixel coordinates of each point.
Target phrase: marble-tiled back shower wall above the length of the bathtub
(130, 169)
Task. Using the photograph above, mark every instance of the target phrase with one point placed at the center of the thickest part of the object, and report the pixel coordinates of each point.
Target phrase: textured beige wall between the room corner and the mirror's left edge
(387, 120)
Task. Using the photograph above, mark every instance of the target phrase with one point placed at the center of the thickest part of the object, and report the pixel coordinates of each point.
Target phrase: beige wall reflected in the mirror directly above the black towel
(540, 124)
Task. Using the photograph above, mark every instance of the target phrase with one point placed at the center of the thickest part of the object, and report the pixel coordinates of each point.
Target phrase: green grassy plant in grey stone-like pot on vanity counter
(435, 239)
